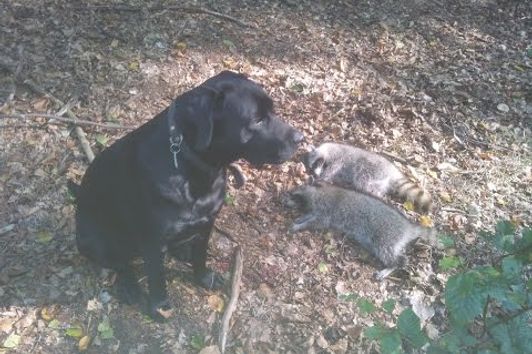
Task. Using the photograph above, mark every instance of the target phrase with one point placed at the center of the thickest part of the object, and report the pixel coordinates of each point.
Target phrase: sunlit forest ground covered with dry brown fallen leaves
(444, 85)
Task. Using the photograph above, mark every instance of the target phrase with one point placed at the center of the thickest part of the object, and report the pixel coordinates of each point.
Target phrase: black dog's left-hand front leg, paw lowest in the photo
(154, 268)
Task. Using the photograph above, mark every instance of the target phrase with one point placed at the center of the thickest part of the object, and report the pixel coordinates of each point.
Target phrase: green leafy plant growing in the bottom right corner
(489, 306)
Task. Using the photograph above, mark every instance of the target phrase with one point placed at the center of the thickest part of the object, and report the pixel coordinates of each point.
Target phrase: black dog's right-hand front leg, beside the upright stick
(203, 275)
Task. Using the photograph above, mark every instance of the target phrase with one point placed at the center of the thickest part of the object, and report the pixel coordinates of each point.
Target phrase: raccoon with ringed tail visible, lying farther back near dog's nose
(353, 168)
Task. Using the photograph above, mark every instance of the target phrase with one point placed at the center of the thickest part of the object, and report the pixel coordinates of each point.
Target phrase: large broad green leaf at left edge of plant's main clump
(464, 297)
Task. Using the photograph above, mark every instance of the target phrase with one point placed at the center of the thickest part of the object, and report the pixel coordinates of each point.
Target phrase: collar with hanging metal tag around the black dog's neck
(178, 145)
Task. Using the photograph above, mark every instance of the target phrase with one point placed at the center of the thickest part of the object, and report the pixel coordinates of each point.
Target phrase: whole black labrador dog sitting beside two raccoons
(162, 185)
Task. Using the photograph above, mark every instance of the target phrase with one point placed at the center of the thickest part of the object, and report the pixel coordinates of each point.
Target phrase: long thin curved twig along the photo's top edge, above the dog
(198, 10)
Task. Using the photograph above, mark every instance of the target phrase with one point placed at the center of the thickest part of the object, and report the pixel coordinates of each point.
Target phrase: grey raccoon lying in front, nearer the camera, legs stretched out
(380, 229)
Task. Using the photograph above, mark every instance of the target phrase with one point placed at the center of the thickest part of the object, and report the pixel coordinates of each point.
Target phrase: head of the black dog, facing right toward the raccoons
(230, 117)
